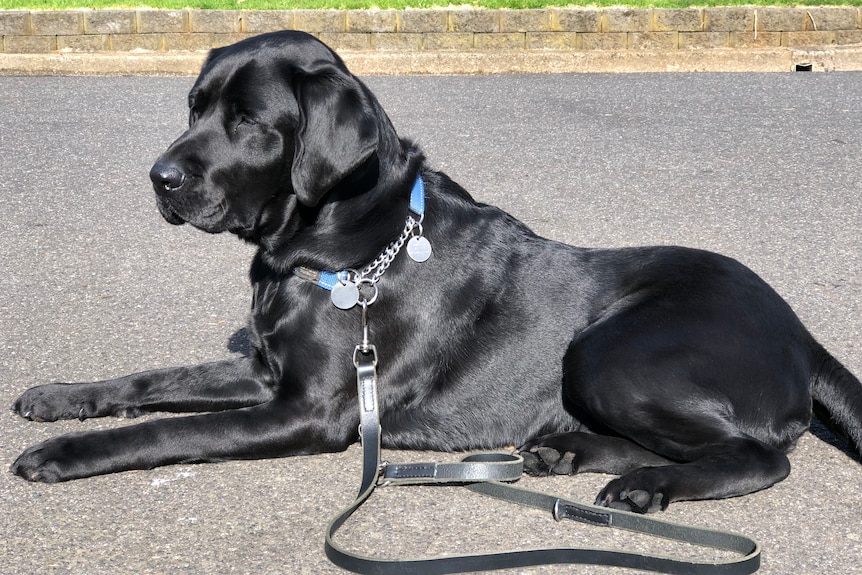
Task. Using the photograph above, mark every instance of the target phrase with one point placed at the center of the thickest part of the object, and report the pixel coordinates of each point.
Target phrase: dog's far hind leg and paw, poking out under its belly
(581, 452)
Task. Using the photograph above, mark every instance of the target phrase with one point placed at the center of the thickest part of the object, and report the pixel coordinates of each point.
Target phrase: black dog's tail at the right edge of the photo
(838, 393)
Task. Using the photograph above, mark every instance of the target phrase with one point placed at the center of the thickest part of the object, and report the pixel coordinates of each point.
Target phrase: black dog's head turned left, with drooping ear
(275, 121)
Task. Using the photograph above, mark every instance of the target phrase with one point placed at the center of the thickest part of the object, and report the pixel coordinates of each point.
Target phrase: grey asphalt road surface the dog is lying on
(93, 284)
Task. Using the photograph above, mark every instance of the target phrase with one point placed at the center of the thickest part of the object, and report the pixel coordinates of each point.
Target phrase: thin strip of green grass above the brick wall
(361, 4)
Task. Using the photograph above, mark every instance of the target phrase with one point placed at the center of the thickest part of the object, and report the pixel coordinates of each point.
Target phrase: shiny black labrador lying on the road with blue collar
(679, 370)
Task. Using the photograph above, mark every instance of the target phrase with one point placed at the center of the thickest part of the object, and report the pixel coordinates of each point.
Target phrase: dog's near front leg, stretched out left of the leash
(276, 428)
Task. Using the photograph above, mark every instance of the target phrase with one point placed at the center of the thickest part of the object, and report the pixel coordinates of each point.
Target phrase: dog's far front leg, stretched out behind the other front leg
(208, 387)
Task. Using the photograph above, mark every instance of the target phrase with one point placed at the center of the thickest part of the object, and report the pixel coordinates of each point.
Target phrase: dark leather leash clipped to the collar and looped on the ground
(484, 473)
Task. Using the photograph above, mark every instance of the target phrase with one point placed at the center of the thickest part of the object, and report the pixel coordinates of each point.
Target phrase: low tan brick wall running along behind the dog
(564, 29)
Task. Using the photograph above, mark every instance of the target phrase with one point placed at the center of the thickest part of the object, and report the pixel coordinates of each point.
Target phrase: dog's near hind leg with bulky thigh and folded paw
(722, 399)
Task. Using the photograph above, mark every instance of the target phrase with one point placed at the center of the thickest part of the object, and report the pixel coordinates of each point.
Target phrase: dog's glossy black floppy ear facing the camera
(337, 130)
